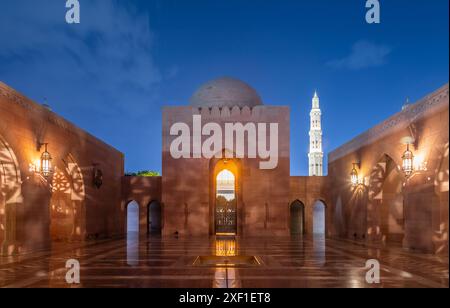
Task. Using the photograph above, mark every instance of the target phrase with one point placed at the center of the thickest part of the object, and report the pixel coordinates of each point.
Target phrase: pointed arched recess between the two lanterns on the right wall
(386, 194)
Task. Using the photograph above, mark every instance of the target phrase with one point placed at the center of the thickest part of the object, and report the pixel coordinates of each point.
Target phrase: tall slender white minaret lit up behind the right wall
(315, 139)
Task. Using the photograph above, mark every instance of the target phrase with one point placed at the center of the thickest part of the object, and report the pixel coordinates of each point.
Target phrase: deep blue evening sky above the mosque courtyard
(112, 73)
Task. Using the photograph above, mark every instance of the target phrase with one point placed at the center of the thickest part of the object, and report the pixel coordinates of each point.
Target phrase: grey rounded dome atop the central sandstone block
(225, 92)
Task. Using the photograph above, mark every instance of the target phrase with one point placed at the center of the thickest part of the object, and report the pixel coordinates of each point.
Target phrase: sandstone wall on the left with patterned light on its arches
(67, 206)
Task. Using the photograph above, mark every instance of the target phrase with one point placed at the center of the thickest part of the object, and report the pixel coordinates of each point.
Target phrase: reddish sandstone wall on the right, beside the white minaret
(389, 206)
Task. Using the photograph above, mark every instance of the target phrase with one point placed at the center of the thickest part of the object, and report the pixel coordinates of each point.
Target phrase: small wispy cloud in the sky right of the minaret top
(364, 54)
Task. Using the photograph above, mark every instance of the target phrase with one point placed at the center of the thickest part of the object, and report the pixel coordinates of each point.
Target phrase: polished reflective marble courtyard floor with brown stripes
(310, 262)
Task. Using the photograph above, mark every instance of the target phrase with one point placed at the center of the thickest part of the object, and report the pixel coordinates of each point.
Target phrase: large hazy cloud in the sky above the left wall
(107, 56)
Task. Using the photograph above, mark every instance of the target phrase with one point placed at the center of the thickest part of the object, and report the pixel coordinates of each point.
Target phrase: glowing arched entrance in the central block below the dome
(225, 210)
